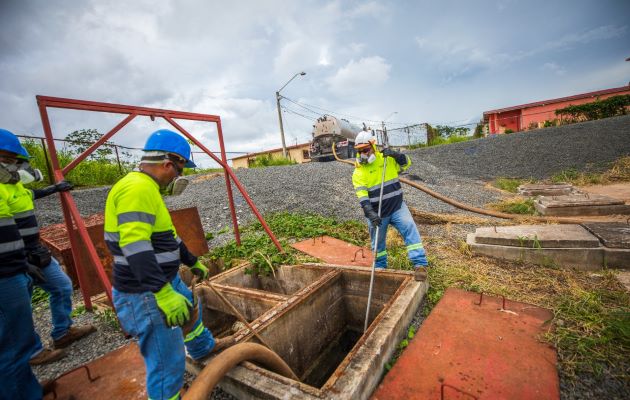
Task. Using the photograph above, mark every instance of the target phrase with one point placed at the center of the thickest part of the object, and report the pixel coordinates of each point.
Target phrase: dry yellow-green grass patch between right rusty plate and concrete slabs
(591, 317)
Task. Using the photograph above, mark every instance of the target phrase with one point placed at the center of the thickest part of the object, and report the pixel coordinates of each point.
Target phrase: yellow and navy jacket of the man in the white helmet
(366, 180)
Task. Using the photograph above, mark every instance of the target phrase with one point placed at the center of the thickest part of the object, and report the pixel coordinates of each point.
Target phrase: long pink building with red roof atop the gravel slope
(526, 116)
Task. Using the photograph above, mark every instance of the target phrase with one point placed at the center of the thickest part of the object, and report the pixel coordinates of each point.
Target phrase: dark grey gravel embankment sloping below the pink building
(538, 154)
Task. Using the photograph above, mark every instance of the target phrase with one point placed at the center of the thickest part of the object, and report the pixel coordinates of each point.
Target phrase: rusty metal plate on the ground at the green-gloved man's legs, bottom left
(116, 375)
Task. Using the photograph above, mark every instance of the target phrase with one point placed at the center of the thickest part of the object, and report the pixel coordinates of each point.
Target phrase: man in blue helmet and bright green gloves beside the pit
(151, 301)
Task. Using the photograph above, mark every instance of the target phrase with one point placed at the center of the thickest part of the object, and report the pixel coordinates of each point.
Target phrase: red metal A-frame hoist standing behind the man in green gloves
(70, 210)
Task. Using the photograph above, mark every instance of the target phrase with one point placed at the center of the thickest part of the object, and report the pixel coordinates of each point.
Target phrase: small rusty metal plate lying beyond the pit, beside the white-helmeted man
(335, 251)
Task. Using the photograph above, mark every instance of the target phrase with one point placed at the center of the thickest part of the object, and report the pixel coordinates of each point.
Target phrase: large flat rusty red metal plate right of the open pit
(474, 346)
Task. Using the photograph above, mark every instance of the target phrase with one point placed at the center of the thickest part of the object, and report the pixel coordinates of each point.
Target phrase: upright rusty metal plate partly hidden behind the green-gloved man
(186, 221)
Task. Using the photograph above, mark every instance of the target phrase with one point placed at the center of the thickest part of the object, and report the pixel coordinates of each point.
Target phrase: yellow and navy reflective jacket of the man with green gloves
(141, 236)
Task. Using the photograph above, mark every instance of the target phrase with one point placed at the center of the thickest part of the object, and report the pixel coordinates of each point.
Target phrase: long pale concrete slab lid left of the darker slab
(554, 236)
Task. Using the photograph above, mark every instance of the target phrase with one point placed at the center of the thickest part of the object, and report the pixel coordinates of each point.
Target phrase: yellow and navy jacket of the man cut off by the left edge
(12, 256)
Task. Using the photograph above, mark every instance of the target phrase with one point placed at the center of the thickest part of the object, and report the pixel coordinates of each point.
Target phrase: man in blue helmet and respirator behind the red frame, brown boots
(45, 269)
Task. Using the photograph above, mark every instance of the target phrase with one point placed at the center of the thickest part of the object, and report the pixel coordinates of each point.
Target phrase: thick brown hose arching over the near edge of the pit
(220, 365)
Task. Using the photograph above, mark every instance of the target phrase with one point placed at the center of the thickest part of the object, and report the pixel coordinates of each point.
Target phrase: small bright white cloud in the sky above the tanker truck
(360, 77)
